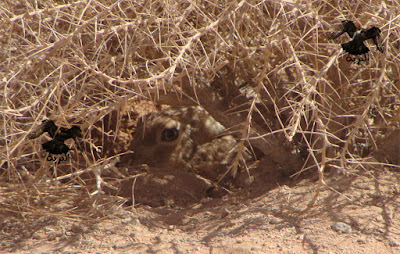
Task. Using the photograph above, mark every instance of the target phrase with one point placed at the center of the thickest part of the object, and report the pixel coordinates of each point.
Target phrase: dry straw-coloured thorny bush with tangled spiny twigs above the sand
(264, 69)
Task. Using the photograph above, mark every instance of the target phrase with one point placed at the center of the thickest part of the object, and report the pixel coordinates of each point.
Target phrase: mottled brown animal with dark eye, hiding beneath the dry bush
(183, 138)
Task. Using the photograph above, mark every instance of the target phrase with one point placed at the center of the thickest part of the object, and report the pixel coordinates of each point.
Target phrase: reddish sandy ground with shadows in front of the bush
(255, 219)
